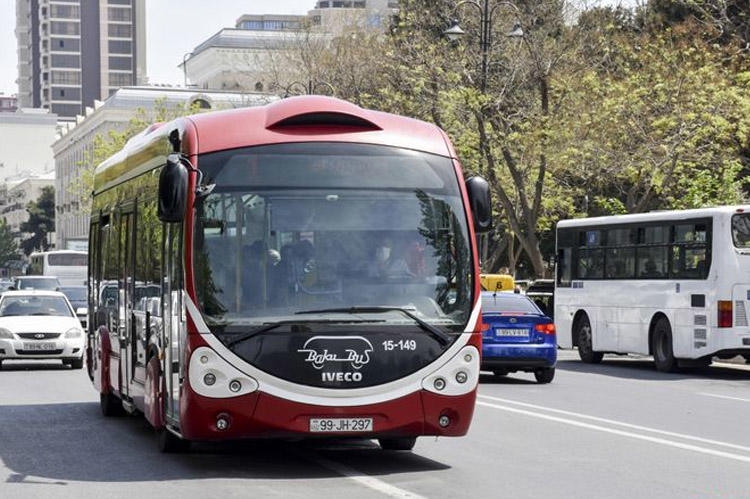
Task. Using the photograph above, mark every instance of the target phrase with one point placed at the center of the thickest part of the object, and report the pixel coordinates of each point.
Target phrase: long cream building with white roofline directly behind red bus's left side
(74, 146)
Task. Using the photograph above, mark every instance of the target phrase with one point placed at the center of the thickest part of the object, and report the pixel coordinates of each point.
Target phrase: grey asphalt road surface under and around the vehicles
(617, 430)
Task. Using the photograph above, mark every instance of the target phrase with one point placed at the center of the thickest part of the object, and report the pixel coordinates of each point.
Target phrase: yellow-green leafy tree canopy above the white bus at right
(661, 125)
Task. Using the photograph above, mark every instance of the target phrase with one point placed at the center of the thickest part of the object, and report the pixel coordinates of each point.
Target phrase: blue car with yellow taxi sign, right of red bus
(517, 336)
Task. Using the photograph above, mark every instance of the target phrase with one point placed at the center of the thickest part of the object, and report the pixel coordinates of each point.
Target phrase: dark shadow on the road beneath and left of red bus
(57, 443)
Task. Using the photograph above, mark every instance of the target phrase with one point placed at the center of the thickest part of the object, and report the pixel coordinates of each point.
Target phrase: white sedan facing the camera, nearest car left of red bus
(38, 325)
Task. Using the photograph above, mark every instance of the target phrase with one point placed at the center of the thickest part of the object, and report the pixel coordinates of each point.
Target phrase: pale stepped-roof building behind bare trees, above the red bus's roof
(261, 53)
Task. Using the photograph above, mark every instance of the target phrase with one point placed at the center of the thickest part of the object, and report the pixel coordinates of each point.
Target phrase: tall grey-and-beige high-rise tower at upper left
(73, 52)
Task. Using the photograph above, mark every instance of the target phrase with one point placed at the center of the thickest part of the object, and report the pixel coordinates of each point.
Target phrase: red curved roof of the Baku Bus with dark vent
(310, 118)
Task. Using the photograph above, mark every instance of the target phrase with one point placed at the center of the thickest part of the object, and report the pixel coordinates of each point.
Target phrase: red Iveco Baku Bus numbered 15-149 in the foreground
(306, 268)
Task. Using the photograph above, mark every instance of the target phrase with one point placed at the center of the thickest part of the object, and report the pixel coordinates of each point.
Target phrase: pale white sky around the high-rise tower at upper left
(173, 29)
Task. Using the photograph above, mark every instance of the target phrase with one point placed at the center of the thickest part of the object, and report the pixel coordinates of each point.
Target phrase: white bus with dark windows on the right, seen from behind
(672, 284)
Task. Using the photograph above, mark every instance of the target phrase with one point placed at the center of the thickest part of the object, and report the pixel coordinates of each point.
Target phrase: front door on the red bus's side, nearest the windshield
(173, 342)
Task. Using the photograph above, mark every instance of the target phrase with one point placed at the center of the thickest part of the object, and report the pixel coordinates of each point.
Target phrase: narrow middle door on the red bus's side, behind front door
(127, 336)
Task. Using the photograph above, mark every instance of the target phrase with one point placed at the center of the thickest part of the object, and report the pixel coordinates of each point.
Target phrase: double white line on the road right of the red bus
(662, 441)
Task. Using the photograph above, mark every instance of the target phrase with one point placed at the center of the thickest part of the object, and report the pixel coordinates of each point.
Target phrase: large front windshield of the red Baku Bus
(301, 227)
